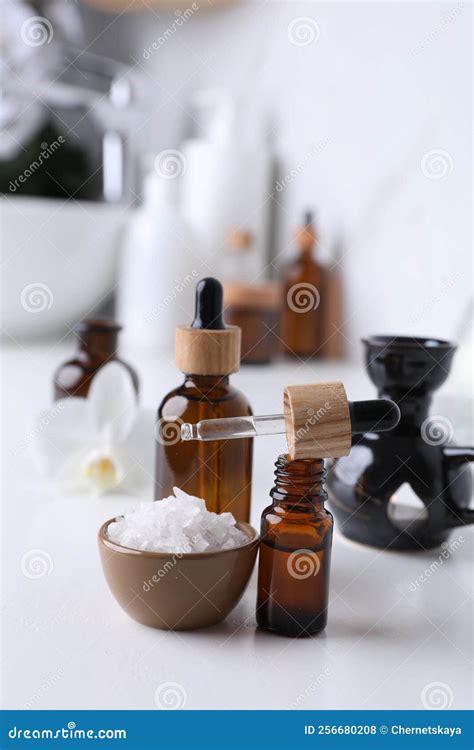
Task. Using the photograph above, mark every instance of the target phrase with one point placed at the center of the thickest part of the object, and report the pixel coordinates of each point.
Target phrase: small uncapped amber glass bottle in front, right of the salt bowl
(295, 551)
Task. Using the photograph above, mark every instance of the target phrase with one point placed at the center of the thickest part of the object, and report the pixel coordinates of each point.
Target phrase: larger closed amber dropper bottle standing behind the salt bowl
(207, 352)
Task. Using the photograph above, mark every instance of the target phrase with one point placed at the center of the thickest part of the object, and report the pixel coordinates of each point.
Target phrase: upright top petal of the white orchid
(112, 402)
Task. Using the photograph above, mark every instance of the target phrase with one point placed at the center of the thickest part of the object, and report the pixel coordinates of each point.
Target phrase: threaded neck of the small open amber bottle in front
(299, 483)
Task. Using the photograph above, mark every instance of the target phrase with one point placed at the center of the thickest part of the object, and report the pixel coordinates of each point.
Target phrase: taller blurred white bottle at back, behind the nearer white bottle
(227, 181)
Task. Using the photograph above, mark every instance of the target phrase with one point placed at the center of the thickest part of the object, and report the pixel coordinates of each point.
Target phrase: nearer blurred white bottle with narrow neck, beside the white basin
(159, 268)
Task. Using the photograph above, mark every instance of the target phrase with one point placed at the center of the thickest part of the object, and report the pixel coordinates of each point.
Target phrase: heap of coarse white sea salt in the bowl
(179, 524)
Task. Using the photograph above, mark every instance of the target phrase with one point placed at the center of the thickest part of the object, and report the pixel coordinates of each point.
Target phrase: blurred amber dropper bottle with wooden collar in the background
(301, 321)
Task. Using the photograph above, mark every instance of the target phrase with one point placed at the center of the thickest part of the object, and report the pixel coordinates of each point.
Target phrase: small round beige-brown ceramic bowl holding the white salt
(177, 592)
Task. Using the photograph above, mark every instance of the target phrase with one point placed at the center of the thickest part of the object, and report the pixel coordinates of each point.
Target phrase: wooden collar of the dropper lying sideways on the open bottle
(317, 420)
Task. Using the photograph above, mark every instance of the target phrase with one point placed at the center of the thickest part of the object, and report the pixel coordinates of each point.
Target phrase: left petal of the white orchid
(59, 432)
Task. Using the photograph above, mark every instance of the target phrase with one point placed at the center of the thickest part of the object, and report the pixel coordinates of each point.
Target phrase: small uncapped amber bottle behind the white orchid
(97, 346)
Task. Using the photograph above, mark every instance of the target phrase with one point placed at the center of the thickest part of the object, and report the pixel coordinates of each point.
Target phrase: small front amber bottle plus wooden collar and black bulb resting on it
(296, 530)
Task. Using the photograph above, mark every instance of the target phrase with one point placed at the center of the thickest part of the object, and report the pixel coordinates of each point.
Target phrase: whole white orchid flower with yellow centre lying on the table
(99, 443)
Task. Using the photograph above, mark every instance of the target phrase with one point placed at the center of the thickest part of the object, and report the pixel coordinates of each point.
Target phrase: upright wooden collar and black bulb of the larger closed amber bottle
(208, 346)
